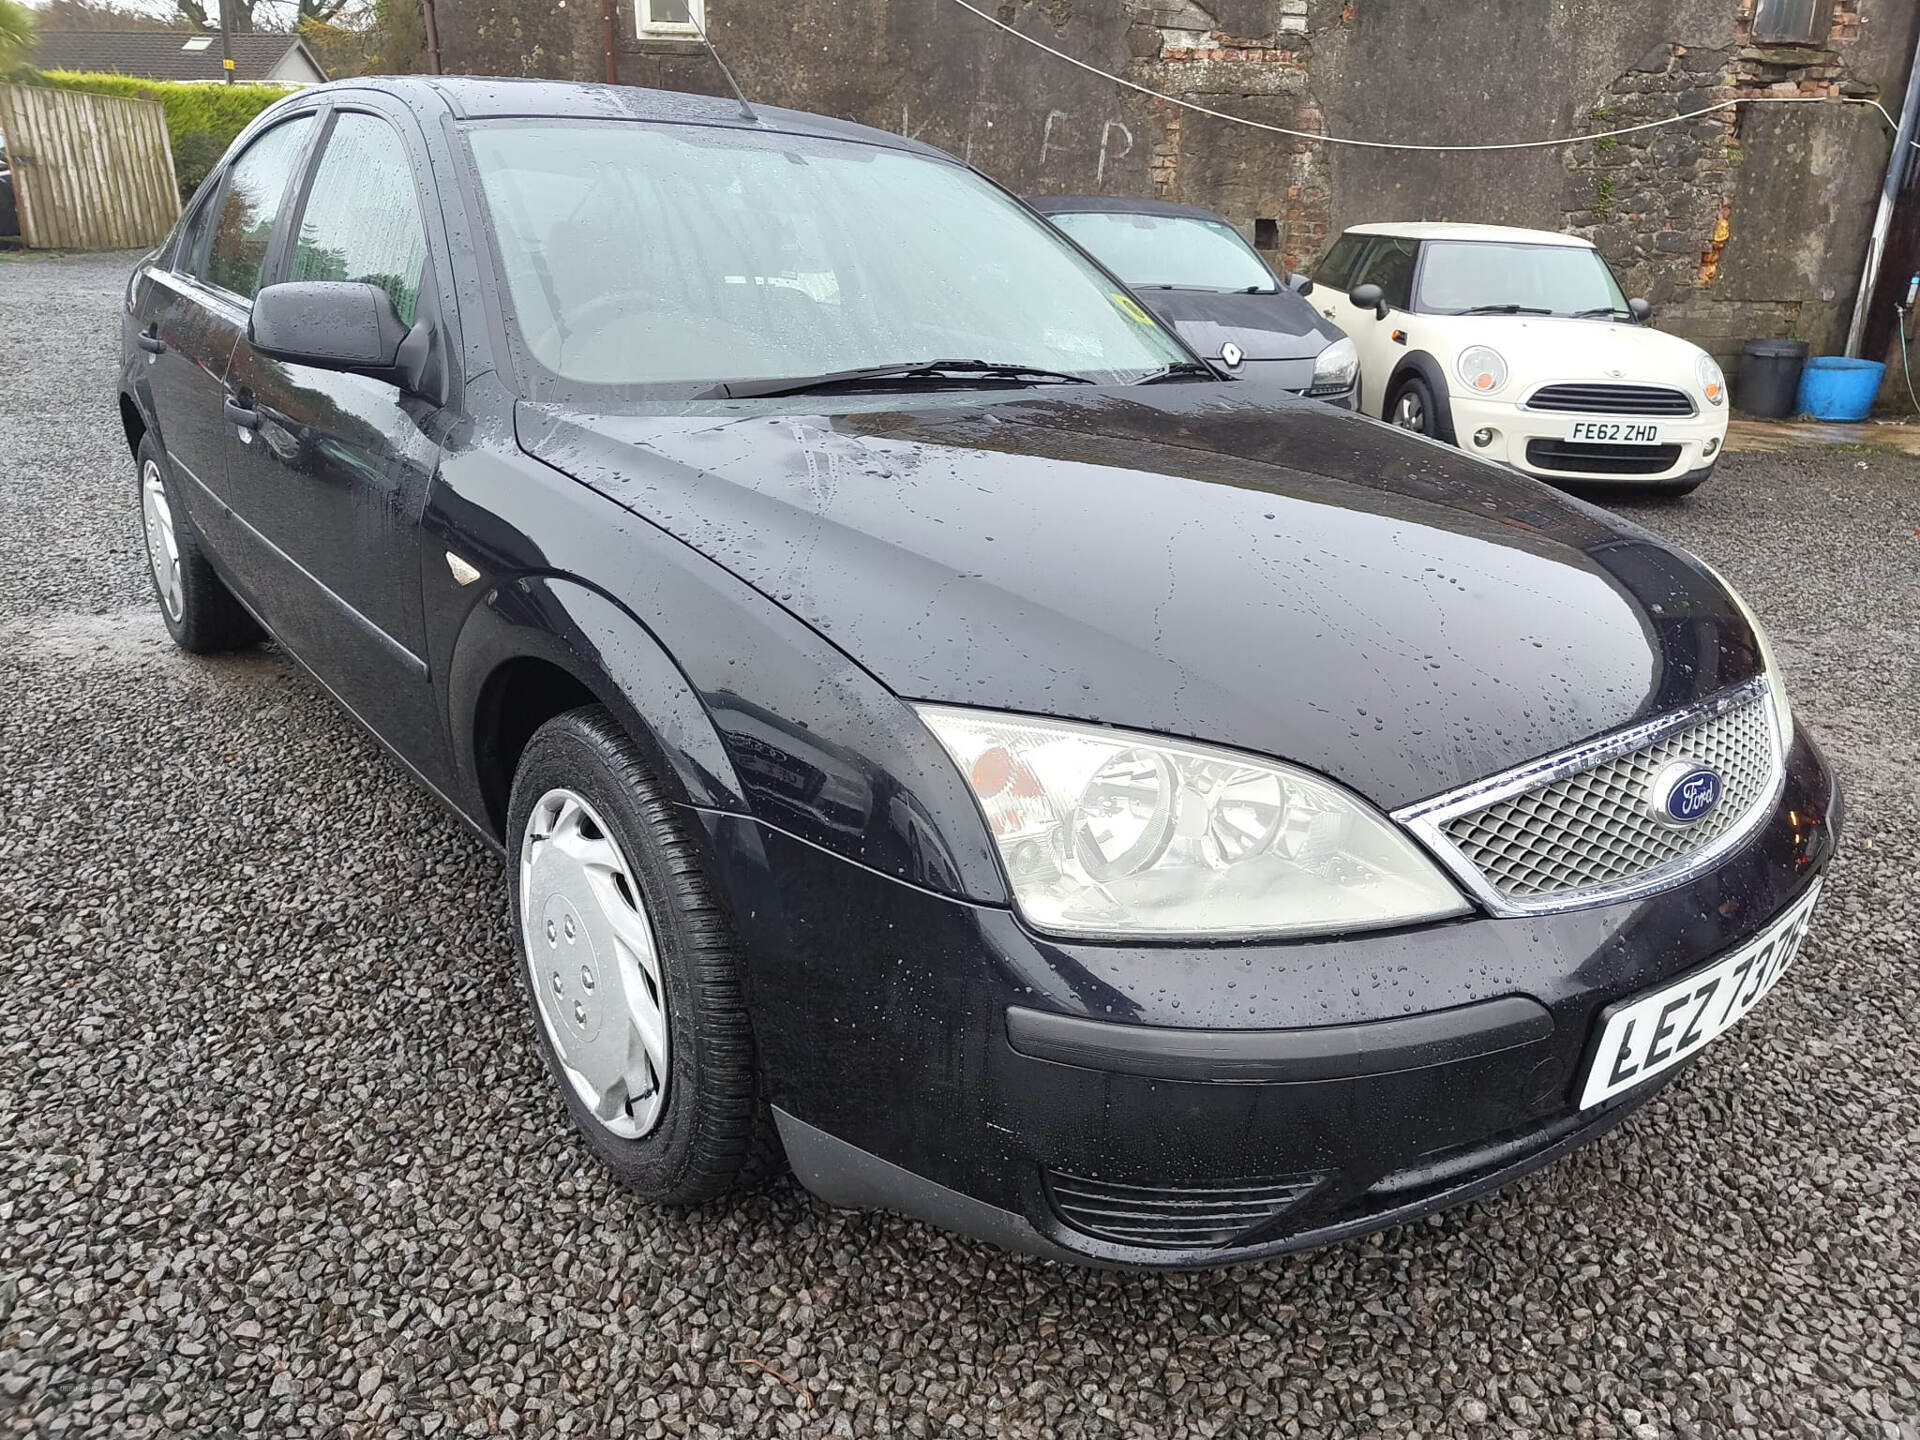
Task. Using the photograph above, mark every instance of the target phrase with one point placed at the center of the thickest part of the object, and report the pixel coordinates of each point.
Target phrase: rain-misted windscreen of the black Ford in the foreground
(675, 258)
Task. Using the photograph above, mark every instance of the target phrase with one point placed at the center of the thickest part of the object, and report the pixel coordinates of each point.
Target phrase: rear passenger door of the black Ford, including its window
(191, 318)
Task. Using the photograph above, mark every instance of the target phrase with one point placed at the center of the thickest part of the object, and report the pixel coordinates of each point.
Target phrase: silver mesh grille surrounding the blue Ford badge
(1595, 828)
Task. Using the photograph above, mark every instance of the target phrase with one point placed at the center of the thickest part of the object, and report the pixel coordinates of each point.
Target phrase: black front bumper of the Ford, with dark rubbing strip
(921, 1051)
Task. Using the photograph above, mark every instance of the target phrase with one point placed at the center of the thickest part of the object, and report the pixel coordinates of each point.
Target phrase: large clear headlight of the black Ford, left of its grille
(1107, 832)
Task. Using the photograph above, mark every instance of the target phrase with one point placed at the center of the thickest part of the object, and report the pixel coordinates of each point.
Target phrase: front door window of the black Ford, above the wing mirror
(362, 220)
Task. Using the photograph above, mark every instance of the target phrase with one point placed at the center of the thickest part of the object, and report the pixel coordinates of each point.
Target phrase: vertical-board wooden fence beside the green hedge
(91, 172)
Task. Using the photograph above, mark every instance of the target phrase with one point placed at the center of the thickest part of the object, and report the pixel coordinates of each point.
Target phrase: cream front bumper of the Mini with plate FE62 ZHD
(1535, 443)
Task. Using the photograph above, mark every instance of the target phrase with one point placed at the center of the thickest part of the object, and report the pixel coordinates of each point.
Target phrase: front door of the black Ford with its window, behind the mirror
(331, 469)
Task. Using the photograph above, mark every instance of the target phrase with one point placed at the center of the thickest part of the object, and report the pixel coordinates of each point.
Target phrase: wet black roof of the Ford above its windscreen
(496, 97)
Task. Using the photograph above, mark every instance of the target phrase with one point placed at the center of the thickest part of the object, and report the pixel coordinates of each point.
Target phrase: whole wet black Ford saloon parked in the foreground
(940, 732)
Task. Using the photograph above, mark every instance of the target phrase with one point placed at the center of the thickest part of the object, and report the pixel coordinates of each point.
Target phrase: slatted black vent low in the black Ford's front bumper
(1174, 1216)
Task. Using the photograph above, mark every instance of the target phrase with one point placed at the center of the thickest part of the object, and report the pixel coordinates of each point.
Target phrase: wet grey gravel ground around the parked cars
(277, 1157)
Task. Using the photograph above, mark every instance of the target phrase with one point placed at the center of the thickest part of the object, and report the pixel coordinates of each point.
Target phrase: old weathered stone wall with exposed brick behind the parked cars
(1742, 224)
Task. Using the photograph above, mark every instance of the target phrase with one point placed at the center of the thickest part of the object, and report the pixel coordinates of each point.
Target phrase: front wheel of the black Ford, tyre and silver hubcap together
(592, 886)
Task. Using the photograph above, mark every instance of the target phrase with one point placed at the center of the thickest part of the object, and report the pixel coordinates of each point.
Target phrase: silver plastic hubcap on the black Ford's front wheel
(594, 965)
